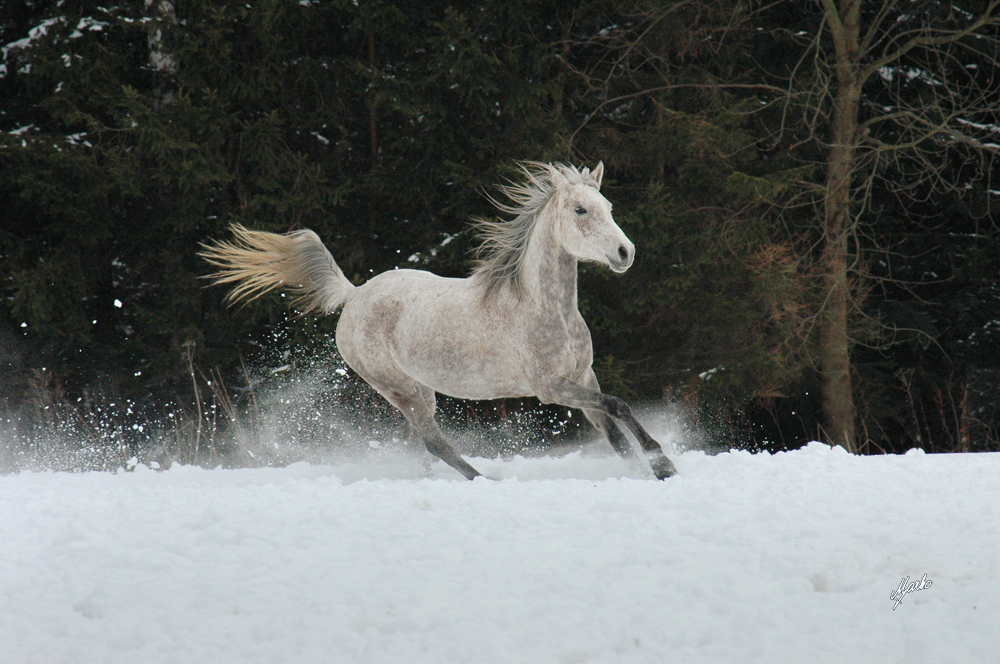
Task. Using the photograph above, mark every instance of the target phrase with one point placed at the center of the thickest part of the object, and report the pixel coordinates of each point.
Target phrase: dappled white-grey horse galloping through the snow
(511, 329)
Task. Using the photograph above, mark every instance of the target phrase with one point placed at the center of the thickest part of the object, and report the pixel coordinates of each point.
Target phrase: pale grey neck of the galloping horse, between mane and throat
(549, 276)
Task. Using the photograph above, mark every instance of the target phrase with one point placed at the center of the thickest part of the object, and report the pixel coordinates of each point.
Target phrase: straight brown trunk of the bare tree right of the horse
(835, 363)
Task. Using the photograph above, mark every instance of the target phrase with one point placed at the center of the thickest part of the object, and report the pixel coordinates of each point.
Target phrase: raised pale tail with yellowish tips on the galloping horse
(258, 262)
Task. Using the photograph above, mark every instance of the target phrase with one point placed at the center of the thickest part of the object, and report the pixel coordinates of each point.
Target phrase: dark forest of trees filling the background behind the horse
(808, 183)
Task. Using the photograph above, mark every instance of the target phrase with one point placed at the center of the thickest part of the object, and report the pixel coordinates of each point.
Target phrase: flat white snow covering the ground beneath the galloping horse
(742, 557)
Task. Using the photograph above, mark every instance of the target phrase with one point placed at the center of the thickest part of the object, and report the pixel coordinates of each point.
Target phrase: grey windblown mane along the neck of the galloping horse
(501, 253)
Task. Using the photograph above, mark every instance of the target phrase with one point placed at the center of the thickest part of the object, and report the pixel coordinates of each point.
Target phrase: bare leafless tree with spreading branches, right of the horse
(876, 92)
